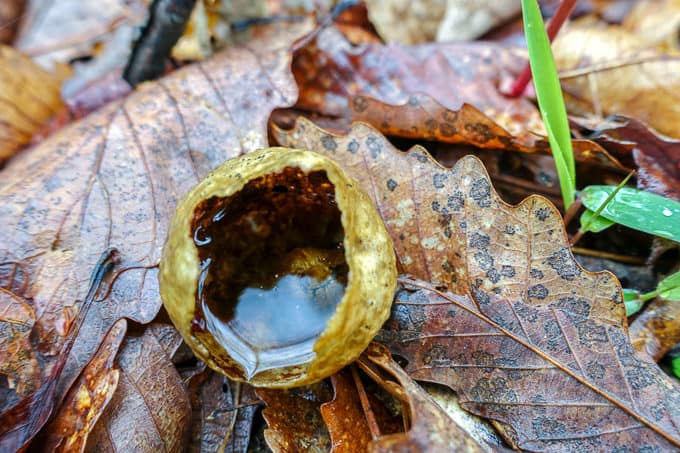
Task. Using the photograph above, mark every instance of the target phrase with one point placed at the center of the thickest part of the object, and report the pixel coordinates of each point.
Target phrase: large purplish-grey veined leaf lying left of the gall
(113, 180)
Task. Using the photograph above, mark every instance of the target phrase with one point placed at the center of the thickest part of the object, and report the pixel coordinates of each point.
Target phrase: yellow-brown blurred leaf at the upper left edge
(29, 97)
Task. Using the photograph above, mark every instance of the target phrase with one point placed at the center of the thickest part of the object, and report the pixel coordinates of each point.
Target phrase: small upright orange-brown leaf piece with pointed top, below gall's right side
(344, 416)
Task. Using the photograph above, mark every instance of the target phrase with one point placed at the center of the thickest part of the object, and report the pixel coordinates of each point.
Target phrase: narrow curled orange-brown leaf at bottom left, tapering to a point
(87, 399)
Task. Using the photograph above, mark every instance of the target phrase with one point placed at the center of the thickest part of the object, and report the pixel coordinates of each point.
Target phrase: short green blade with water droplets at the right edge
(637, 209)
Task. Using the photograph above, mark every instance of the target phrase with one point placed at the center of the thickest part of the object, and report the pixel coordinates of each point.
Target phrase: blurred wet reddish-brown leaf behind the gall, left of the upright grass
(330, 71)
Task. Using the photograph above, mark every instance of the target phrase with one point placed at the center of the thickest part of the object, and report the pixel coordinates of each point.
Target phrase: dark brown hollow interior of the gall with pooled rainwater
(273, 268)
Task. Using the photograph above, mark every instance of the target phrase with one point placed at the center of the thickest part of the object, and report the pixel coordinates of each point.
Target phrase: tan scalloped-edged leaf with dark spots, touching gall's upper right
(526, 245)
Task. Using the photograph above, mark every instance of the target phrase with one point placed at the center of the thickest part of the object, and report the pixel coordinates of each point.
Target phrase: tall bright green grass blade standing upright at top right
(550, 101)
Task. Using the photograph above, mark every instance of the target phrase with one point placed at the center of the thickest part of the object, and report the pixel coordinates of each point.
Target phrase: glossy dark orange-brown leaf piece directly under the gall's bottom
(294, 420)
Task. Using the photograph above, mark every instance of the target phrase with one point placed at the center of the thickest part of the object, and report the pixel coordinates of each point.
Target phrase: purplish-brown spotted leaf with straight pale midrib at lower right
(557, 381)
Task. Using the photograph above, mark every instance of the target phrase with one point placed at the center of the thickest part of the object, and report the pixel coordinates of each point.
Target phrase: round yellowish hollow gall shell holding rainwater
(277, 269)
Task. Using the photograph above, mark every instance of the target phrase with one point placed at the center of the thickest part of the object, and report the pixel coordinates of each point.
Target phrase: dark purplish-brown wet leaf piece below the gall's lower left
(219, 422)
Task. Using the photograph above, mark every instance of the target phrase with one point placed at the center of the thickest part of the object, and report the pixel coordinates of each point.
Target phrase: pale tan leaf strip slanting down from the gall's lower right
(430, 429)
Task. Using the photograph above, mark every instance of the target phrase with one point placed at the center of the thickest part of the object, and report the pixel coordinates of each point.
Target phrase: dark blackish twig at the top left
(167, 20)
